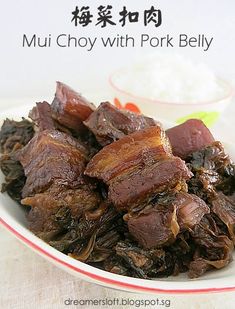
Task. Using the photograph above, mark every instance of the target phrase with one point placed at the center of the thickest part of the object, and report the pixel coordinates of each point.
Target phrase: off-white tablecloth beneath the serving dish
(28, 281)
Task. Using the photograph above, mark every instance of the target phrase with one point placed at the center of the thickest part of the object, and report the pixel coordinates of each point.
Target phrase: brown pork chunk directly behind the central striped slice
(109, 124)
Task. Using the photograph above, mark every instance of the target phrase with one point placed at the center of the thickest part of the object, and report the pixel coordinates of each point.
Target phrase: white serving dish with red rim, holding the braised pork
(12, 217)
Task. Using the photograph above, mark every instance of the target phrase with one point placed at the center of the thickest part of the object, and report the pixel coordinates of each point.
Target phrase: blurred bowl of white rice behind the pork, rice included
(171, 87)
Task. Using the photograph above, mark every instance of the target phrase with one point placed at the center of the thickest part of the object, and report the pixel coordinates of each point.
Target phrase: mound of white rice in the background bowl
(171, 78)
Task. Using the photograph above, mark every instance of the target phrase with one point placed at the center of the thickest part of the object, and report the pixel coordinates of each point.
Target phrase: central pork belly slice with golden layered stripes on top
(137, 167)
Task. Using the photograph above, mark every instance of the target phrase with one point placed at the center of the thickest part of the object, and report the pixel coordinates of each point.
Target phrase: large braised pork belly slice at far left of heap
(53, 163)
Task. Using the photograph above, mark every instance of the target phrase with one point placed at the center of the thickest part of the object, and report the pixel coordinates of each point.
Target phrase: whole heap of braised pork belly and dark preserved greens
(113, 189)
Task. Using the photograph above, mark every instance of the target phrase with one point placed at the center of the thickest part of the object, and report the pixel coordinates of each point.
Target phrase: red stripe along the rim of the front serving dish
(101, 279)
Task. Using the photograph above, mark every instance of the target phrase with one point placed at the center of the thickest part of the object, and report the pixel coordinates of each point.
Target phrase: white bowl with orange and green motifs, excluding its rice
(177, 112)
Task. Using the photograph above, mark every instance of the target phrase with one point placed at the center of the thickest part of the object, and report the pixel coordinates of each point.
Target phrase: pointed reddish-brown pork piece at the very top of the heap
(70, 108)
